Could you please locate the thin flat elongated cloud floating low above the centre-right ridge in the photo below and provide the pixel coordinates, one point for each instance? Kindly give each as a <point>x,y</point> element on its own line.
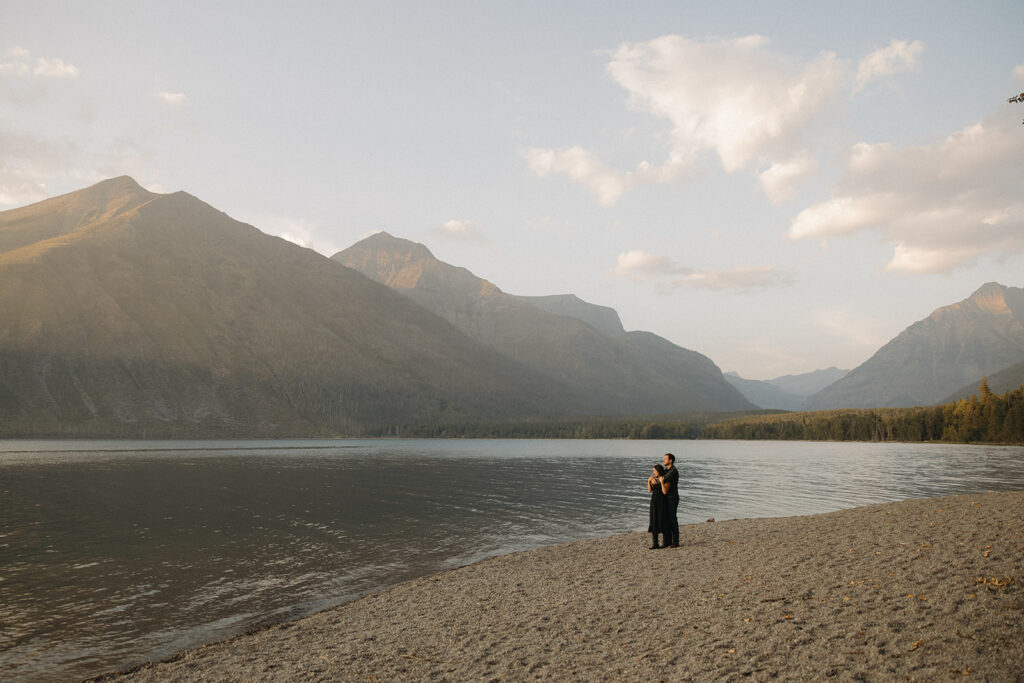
<point>644,267</point>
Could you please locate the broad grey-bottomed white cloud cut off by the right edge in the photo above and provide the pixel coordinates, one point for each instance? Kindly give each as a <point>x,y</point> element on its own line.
<point>943,205</point>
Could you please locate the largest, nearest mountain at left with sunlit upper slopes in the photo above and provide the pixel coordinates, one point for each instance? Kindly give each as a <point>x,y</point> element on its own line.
<point>127,313</point>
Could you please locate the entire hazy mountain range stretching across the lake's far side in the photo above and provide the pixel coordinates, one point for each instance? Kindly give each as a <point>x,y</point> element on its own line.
<point>125,313</point>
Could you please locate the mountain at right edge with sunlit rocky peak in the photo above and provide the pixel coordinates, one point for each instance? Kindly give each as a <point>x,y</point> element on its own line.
<point>954,348</point>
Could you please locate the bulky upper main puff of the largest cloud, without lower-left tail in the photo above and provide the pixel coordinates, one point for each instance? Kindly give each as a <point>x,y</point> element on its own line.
<point>736,98</point>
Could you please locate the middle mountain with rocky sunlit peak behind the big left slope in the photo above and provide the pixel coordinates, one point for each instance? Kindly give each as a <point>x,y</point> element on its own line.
<point>582,346</point>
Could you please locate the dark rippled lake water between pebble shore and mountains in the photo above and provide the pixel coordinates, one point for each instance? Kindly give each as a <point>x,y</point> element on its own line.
<point>113,553</point>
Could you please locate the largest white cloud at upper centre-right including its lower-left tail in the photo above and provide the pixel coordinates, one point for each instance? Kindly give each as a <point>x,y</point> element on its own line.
<point>736,98</point>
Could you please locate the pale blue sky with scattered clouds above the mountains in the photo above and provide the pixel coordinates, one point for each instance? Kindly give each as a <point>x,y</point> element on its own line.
<point>782,187</point>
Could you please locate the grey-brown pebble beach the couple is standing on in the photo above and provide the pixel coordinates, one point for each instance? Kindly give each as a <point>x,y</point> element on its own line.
<point>919,590</point>
